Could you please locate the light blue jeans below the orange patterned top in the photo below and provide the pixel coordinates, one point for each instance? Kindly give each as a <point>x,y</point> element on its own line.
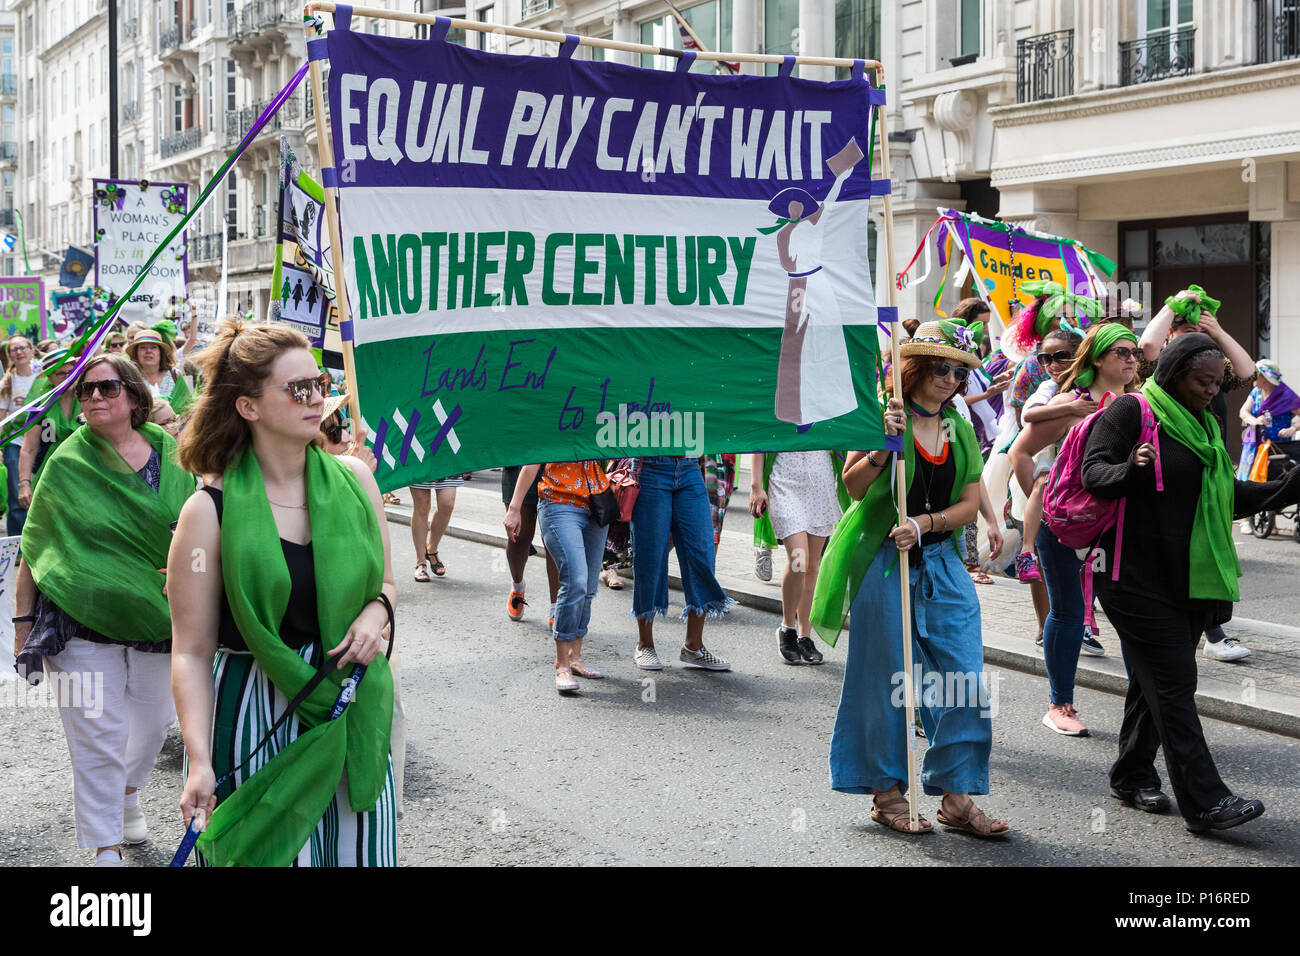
<point>577,543</point>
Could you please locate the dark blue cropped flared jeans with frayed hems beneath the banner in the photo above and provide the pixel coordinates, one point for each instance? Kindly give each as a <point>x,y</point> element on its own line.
<point>673,501</point>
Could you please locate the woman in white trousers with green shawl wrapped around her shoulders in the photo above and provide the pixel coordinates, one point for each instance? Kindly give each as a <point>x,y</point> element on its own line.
<point>90,599</point>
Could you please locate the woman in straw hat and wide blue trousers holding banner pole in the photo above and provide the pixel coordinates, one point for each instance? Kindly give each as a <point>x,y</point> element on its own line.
<point>869,749</point>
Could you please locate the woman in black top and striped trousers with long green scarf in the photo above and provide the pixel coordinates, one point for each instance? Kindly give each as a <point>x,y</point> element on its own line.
<point>280,569</point>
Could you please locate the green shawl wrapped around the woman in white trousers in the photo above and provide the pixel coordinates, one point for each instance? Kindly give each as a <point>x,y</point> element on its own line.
<point>97,535</point>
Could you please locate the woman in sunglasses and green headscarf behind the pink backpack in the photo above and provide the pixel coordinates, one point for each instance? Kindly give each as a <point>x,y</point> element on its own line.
<point>1104,365</point>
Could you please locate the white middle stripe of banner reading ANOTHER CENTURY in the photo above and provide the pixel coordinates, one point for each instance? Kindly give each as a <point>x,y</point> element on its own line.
<point>422,222</point>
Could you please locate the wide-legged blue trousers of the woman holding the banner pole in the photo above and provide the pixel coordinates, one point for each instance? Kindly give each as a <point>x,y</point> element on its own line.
<point>869,747</point>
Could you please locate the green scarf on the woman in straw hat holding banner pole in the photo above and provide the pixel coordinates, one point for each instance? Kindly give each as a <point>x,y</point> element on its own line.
<point>868,524</point>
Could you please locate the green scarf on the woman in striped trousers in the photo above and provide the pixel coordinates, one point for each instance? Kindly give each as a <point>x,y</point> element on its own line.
<point>267,821</point>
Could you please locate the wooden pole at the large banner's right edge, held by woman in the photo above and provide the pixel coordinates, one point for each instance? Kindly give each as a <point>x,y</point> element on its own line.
<point>902,485</point>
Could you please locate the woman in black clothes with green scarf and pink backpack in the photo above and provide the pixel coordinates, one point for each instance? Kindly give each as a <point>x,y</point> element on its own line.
<point>1178,576</point>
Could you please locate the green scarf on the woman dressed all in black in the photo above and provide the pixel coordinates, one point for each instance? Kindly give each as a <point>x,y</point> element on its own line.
<point>1215,566</point>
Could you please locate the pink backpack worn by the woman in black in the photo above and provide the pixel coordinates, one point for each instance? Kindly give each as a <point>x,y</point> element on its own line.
<point>1074,514</point>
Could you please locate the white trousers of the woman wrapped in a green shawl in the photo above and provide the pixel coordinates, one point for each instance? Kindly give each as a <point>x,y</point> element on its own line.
<point>116,706</point>
